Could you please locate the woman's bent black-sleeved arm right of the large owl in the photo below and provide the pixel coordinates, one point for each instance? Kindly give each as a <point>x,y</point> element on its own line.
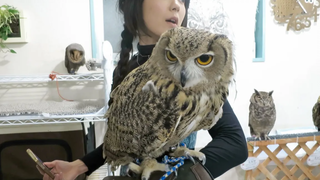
<point>228,147</point>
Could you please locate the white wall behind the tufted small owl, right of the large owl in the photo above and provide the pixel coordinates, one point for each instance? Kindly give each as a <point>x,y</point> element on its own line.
<point>291,69</point>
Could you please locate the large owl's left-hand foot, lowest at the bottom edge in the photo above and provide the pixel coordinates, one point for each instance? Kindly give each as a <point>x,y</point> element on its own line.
<point>147,166</point>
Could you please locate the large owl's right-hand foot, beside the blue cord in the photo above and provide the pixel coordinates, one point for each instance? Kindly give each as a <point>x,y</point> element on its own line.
<point>184,151</point>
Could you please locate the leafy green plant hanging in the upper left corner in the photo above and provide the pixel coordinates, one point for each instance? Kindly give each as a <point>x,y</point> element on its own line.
<point>8,14</point>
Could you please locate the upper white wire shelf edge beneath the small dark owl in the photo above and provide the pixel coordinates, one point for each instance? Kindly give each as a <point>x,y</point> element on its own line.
<point>45,78</point>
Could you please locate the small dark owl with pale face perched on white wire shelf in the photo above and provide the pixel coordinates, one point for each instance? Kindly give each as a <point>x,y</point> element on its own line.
<point>74,58</point>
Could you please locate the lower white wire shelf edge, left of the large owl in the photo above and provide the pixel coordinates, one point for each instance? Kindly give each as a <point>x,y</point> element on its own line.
<point>29,120</point>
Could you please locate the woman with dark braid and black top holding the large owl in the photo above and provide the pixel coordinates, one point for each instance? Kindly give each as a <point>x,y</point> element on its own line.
<point>147,20</point>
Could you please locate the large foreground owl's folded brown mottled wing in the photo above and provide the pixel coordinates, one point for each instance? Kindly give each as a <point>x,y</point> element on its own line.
<point>143,114</point>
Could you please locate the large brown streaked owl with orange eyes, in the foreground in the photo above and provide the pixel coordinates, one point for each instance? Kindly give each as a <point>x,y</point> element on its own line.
<point>179,90</point>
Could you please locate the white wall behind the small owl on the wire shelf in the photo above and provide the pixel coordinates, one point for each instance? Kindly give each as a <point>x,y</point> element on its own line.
<point>51,25</point>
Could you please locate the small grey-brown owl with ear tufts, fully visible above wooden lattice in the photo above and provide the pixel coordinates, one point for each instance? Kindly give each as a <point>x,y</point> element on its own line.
<point>262,114</point>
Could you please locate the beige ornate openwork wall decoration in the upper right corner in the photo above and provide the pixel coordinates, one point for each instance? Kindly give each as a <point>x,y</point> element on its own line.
<point>298,14</point>
